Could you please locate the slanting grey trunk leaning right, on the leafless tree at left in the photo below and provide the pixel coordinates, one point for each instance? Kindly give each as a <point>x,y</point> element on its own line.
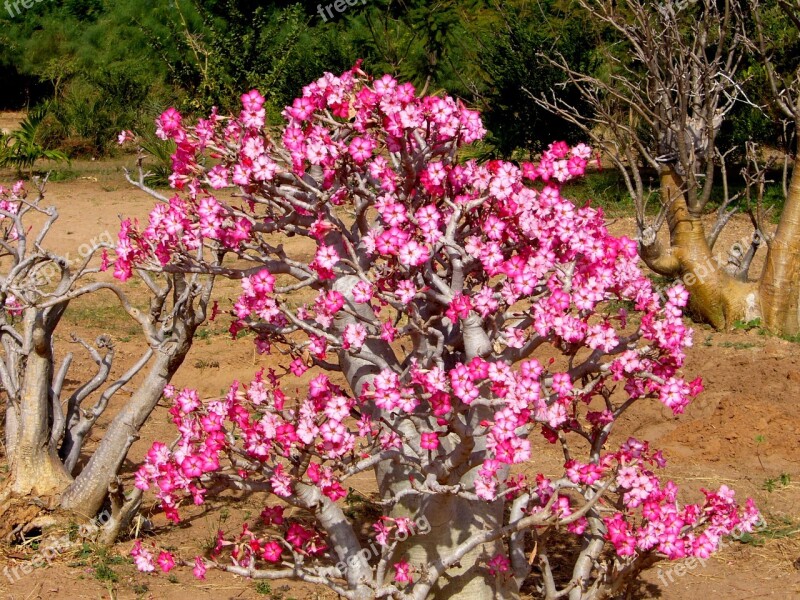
<point>89,490</point>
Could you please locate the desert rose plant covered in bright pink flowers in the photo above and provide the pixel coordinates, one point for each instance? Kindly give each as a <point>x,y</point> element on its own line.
<point>456,318</point>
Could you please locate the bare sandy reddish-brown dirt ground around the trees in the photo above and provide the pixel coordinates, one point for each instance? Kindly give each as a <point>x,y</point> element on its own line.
<point>743,431</point>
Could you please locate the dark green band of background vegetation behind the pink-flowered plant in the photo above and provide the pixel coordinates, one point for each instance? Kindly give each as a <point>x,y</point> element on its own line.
<point>100,66</point>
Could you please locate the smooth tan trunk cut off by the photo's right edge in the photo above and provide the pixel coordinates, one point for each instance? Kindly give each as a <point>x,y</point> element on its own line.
<point>780,280</point>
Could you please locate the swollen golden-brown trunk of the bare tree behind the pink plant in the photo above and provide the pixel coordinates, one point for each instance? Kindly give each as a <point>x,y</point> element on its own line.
<point>714,296</point>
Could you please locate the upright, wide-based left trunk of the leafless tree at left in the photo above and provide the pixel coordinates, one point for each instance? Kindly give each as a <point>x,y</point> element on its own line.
<point>36,469</point>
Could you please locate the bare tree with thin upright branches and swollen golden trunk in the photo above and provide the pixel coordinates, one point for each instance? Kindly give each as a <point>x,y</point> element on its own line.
<point>672,78</point>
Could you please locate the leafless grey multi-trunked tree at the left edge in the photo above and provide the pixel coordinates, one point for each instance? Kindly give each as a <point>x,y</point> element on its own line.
<point>46,427</point>
